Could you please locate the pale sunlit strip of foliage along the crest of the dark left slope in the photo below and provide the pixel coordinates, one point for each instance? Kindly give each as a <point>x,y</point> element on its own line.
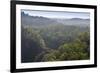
<point>35,36</point>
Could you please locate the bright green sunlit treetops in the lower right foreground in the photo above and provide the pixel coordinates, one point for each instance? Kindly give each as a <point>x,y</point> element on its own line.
<point>71,51</point>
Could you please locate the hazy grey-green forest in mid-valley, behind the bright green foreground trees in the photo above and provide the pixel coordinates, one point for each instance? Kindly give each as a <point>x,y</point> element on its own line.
<point>57,35</point>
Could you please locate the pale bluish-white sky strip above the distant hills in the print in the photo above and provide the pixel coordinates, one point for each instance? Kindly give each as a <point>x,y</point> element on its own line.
<point>57,14</point>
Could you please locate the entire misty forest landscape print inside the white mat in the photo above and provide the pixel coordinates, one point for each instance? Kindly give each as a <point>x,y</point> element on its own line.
<point>46,37</point>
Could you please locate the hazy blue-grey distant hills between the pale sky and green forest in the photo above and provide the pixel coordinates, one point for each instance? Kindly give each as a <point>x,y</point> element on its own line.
<point>39,21</point>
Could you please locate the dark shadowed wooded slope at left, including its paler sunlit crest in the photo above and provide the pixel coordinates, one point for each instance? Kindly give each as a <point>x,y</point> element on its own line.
<point>32,44</point>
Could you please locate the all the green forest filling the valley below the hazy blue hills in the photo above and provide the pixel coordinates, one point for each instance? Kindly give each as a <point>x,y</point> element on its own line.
<point>54,42</point>
